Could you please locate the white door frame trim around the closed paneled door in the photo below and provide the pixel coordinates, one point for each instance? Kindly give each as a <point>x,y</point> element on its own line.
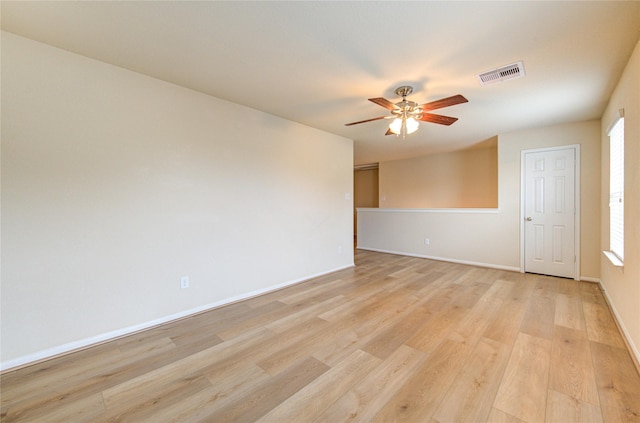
<point>576,220</point>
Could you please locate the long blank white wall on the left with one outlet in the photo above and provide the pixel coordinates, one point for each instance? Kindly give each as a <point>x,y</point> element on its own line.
<point>114,185</point>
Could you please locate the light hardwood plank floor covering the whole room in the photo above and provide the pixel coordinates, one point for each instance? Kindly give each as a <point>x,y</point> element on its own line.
<point>393,339</point>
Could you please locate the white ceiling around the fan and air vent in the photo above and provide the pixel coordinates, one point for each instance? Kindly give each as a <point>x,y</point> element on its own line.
<point>317,62</point>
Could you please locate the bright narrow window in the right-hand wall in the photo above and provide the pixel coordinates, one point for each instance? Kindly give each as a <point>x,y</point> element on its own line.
<point>616,190</point>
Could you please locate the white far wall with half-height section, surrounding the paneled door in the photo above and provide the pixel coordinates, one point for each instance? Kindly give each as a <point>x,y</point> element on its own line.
<point>491,237</point>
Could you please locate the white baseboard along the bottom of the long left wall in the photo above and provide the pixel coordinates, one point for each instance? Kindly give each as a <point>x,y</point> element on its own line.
<point>50,353</point>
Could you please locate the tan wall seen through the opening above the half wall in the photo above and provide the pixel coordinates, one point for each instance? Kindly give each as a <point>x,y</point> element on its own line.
<point>460,179</point>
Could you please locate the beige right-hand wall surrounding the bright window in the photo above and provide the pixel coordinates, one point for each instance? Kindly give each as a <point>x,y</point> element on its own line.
<point>622,285</point>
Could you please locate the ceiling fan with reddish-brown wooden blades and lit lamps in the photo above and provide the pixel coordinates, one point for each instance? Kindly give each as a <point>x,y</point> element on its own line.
<point>406,114</point>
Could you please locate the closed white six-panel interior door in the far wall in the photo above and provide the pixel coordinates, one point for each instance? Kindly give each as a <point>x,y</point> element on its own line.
<point>549,206</point>
